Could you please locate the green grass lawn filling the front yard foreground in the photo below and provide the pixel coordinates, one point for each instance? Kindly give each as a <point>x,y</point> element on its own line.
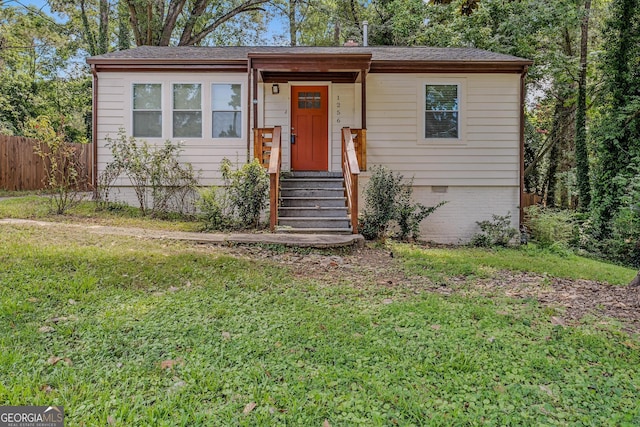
<point>133,332</point>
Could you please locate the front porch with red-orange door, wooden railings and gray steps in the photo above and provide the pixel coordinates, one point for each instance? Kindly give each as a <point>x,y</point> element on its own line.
<point>309,121</point>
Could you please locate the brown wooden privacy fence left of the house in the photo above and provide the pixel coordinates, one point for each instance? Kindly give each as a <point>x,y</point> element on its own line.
<point>22,169</point>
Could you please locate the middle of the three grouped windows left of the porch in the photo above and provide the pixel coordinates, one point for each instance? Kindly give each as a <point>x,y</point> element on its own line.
<point>187,110</point>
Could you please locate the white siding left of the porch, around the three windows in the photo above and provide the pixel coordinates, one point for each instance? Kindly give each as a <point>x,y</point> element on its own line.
<point>205,154</point>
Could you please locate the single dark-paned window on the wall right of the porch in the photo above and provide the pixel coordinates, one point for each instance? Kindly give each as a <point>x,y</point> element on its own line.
<point>442,111</point>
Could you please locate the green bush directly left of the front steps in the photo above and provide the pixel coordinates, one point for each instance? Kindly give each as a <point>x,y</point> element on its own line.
<point>239,202</point>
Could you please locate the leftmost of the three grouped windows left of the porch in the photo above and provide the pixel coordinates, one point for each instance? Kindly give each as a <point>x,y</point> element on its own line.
<point>147,110</point>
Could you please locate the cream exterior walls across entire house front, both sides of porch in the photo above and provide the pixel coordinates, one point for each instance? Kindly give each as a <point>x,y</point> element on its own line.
<point>480,171</point>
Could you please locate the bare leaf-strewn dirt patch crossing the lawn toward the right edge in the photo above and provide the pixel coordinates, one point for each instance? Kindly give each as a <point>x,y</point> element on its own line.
<point>573,299</point>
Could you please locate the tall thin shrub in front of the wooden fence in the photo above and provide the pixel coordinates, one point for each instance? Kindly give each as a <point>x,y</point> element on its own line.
<point>62,169</point>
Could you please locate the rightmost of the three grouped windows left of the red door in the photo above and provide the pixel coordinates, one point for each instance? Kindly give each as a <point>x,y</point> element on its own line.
<point>226,110</point>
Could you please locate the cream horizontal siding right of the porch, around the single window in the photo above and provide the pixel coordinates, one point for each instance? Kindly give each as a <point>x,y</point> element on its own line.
<point>487,153</point>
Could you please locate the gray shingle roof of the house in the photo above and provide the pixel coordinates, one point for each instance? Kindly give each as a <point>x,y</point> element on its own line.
<point>378,53</point>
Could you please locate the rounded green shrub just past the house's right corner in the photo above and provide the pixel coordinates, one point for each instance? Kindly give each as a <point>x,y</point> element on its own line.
<point>550,227</point>
